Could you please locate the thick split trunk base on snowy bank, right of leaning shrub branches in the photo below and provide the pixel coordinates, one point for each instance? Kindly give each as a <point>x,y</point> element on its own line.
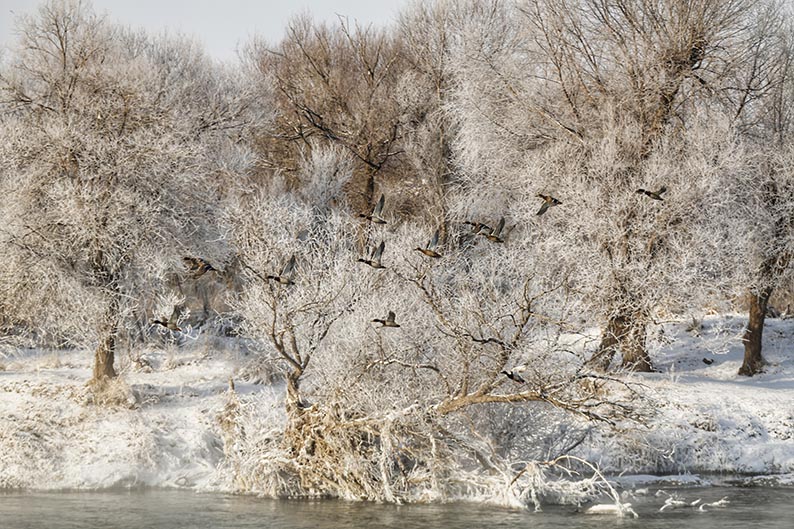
<point>627,333</point>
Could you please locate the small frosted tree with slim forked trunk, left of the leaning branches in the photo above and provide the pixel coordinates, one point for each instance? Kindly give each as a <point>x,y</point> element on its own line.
<point>295,249</point>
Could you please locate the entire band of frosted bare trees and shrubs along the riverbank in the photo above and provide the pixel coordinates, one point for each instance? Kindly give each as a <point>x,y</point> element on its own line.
<point>573,164</point>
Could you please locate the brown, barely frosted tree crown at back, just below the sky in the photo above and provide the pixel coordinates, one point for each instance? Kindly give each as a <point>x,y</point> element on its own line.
<point>334,85</point>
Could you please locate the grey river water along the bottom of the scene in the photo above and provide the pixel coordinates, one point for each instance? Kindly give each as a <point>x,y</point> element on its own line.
<point>769,508</point>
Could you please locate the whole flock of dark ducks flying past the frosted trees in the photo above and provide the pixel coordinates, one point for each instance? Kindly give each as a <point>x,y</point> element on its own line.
<point>198,266</point>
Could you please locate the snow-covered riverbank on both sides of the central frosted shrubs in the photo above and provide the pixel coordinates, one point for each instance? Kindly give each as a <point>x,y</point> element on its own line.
<point>163,429</point>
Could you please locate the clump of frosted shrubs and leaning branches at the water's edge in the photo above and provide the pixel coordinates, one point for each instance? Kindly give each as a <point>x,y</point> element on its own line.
<point>402,403</point>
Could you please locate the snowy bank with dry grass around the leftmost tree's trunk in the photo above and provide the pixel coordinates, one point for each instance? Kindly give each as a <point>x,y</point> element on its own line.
<point>160,430</point>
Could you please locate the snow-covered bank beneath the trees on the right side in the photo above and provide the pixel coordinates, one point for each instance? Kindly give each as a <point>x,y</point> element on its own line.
<point>708,419</point>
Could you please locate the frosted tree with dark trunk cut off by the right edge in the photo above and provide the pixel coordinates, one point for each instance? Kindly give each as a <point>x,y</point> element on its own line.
<point>756,201</point>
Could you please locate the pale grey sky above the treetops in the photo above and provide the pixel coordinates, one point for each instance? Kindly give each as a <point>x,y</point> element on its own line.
<point>221,24</point>
